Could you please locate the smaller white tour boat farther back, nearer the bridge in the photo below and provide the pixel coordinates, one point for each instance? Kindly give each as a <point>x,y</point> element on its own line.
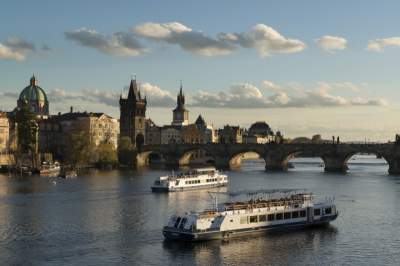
<point>192,179</point>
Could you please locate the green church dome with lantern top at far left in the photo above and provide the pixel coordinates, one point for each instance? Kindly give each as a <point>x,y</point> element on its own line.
<point>35,97</point>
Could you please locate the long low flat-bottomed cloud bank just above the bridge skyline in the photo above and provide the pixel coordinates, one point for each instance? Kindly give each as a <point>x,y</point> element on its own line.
<point>249,96</point>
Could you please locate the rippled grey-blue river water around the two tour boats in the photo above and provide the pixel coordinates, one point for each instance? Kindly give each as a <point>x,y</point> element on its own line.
<point>108,218</point>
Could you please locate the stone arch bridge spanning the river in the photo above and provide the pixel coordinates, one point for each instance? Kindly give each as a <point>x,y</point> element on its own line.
<point>276,156</point>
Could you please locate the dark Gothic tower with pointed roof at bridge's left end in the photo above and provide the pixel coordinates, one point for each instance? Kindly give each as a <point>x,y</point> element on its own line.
<point>132,115</point>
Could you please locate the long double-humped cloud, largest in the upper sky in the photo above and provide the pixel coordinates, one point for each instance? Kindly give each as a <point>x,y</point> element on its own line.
<point>261,37</point>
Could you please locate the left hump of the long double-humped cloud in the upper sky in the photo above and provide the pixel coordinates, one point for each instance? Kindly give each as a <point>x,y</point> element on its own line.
<point>189,40</point>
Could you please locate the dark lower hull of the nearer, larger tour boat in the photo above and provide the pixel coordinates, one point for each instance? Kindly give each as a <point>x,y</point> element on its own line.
<point>178,235</point>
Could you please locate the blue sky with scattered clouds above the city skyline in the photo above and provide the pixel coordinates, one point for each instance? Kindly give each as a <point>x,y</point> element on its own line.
<point>304,67</point>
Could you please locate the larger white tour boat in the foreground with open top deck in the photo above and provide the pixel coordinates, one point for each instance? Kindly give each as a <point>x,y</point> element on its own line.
<point>255,216</point>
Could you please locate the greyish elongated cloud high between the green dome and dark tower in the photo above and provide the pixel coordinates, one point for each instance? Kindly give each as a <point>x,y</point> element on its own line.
<point>119,43</point>
